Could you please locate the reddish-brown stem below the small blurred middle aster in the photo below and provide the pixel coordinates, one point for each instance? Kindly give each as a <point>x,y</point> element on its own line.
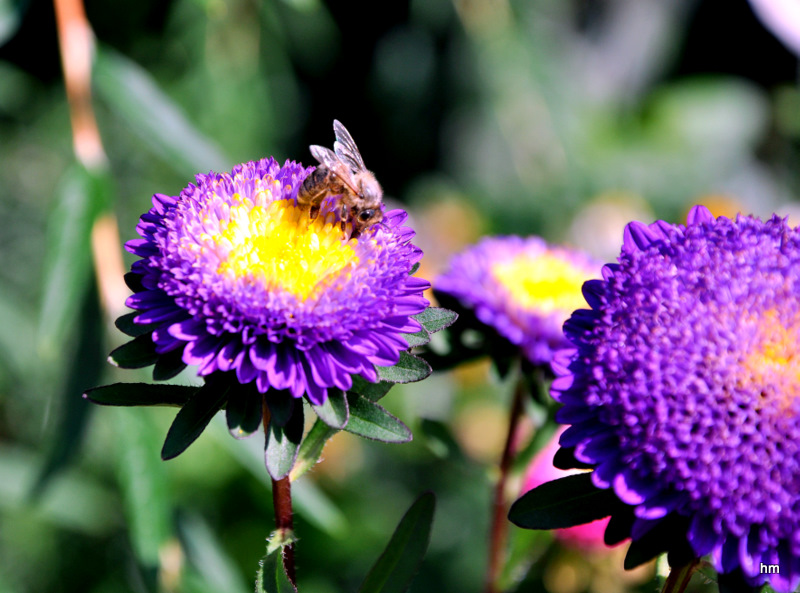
<point>499,525</point>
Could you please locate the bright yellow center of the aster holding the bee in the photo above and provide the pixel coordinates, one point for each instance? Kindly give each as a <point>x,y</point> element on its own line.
<point>278,244</point>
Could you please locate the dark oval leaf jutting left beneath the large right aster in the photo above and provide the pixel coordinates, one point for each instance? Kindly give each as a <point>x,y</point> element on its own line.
<point>565,502</point>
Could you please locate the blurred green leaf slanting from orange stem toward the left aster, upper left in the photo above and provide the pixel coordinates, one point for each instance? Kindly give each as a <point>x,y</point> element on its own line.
<point>133,95</point>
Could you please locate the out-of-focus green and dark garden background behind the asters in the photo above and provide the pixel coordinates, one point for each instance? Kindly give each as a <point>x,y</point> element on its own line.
<point>564,118</point>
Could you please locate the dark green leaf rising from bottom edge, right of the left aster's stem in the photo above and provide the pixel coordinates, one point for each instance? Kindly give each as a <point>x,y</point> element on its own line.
<point>400,561</point>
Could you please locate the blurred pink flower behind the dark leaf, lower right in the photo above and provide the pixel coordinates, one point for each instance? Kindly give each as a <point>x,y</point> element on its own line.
<point>541,470</point>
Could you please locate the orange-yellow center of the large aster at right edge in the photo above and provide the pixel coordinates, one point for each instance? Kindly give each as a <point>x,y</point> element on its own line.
<point>774,364</point>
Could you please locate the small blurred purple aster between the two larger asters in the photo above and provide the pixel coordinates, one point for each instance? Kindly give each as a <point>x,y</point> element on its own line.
<point>520,287</point>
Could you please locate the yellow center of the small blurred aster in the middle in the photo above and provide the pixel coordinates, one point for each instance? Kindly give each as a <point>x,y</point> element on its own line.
<point>543,283</point>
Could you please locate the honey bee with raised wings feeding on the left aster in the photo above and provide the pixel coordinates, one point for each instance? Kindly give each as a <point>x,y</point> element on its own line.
<point>342,173</point>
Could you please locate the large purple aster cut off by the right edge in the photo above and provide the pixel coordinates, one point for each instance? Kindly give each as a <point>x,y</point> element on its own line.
<point>682,388</point>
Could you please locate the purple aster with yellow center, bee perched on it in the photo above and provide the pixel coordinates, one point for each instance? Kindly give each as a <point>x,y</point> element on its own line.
<point>234,277</point>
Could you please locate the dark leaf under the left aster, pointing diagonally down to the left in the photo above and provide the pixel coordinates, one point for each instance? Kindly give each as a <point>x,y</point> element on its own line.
<point>194,416</point>
